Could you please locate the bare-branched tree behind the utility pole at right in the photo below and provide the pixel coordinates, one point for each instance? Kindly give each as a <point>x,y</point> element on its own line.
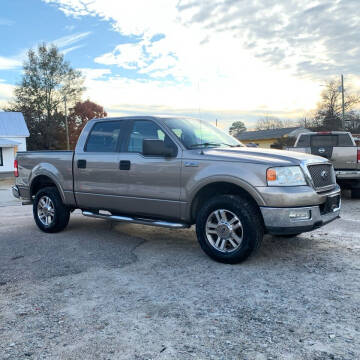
<point>328,114</point>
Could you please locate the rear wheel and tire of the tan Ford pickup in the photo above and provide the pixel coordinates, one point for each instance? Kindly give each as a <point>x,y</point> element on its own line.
<point>50,214</point>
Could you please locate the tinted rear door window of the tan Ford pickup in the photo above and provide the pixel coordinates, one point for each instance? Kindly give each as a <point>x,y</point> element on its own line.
<point>104,137</point>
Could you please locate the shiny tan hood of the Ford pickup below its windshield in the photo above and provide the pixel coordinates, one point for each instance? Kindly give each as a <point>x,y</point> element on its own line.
<point>261,156</point>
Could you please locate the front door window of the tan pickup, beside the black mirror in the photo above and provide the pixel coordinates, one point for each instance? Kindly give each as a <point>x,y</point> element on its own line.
<point>144,129</point>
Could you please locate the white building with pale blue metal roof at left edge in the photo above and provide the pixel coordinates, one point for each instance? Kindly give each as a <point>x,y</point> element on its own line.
<point>13,134</point>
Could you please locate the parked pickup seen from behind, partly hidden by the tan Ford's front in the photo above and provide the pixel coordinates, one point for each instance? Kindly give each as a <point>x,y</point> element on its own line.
<point>340,148</point>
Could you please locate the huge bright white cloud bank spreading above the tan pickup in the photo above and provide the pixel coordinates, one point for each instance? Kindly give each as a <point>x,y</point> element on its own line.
<point>223,54</point>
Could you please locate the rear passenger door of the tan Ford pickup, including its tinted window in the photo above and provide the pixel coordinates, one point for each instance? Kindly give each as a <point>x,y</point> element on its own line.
<point>98,181</point>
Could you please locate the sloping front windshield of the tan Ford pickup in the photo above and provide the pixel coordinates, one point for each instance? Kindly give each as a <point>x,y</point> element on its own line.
<point>195,133</point>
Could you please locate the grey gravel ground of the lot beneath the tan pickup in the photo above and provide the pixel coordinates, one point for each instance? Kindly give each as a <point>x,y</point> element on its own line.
<point>101,290</point>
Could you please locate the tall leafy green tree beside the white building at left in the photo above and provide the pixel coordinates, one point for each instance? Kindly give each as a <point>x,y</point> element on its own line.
<point>47,79</point>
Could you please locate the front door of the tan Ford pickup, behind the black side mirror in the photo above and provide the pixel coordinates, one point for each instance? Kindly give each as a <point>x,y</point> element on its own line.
<point>153,181</point>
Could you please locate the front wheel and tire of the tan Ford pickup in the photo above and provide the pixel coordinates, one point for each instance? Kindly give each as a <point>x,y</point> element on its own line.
<point>246,233</point>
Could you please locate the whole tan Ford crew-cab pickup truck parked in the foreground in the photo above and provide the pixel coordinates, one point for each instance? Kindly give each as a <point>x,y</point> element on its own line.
<point>176,172</point>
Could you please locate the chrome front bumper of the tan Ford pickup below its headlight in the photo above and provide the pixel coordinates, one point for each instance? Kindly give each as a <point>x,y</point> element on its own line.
<point>278,222</point>
